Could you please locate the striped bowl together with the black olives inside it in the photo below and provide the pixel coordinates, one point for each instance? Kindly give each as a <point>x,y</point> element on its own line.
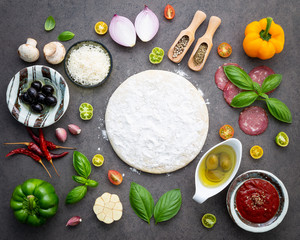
<point>37,96</point>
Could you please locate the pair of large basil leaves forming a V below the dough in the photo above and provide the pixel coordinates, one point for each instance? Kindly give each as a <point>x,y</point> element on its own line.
<point>142,203</point>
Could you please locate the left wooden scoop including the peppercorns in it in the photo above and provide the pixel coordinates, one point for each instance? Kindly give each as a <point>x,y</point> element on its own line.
<point>185,38</point>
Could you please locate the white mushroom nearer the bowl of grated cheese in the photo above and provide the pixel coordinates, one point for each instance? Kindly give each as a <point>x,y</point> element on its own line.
<point>54,52</point>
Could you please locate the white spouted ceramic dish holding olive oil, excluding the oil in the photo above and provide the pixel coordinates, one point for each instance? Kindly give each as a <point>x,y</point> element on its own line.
<point>202,192</point>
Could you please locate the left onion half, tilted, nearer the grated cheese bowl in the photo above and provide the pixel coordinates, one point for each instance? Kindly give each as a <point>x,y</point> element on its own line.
<point>122,31</point>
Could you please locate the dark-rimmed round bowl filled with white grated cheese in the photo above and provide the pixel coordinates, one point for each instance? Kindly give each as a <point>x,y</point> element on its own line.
<point>88,63</point>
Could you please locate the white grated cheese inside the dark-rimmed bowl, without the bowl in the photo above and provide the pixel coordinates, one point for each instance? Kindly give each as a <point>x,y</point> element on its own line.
<point>88,65</point>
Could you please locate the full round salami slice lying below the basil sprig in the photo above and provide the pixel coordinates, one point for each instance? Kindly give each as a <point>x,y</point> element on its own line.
<point>253,120</point>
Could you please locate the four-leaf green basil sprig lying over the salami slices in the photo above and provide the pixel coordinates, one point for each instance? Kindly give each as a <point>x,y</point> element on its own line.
<point>256,92</point>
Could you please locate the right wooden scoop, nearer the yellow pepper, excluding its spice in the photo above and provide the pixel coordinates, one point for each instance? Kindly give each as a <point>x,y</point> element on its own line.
<point>214,23</point>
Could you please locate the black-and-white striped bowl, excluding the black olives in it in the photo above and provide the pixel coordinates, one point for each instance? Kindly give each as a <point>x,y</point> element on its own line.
<point>21,82</point>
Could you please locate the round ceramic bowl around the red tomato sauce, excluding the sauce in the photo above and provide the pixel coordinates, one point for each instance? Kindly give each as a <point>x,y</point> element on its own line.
<point>257,227</point>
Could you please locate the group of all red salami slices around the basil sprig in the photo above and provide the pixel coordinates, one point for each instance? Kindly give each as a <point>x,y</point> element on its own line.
<point>253,120</point>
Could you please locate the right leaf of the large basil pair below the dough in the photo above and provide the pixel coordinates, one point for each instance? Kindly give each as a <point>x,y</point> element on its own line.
<point>167,206</point>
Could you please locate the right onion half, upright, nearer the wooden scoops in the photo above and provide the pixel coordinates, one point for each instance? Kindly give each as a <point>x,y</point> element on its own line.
<point>146,24</point>
